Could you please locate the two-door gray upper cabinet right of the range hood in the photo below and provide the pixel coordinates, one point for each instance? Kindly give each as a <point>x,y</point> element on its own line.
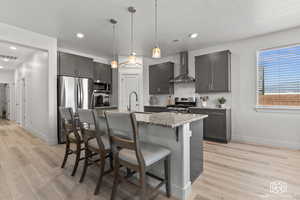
<point>213,72</point>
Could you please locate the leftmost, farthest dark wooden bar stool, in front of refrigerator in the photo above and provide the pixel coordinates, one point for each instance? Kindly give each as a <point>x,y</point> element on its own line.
<point>73,136</point>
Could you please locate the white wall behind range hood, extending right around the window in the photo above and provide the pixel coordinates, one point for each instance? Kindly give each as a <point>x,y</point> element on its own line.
<point>268,128</point>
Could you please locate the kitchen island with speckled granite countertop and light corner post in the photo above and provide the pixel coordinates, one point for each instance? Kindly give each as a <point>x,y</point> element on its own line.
<point>182,134</point>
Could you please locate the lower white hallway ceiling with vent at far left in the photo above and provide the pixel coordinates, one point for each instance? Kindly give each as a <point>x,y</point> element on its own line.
<point>20,52</point>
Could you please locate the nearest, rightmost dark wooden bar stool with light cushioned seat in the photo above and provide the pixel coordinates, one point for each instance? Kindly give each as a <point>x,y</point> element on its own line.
<point>140,157</point>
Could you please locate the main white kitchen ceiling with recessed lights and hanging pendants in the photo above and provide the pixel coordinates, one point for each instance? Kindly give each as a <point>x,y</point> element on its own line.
<point>216,22</point>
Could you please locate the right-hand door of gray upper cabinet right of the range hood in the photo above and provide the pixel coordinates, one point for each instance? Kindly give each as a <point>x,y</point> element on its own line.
<point>220,72</point>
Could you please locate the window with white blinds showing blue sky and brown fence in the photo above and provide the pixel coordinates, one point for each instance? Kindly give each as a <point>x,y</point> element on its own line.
<point>278,72</point>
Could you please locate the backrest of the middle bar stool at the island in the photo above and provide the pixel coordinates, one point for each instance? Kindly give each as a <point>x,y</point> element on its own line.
<point>90,125</point>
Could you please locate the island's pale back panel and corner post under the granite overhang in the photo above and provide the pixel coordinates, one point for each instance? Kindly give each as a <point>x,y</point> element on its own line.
<point>180,158</point>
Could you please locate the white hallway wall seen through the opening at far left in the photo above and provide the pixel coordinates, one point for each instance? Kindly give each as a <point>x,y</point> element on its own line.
<point>34,70</point>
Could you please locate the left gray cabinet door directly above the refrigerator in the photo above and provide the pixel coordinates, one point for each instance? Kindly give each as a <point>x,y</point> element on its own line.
<point>67,64</point>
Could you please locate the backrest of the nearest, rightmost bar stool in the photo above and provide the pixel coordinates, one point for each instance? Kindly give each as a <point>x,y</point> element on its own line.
<point>123,133</point>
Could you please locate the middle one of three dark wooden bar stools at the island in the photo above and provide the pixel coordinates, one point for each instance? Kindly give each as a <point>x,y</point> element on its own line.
<point>96,142</point>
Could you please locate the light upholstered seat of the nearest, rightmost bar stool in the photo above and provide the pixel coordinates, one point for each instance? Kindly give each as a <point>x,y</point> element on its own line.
<point>152,153</point>
